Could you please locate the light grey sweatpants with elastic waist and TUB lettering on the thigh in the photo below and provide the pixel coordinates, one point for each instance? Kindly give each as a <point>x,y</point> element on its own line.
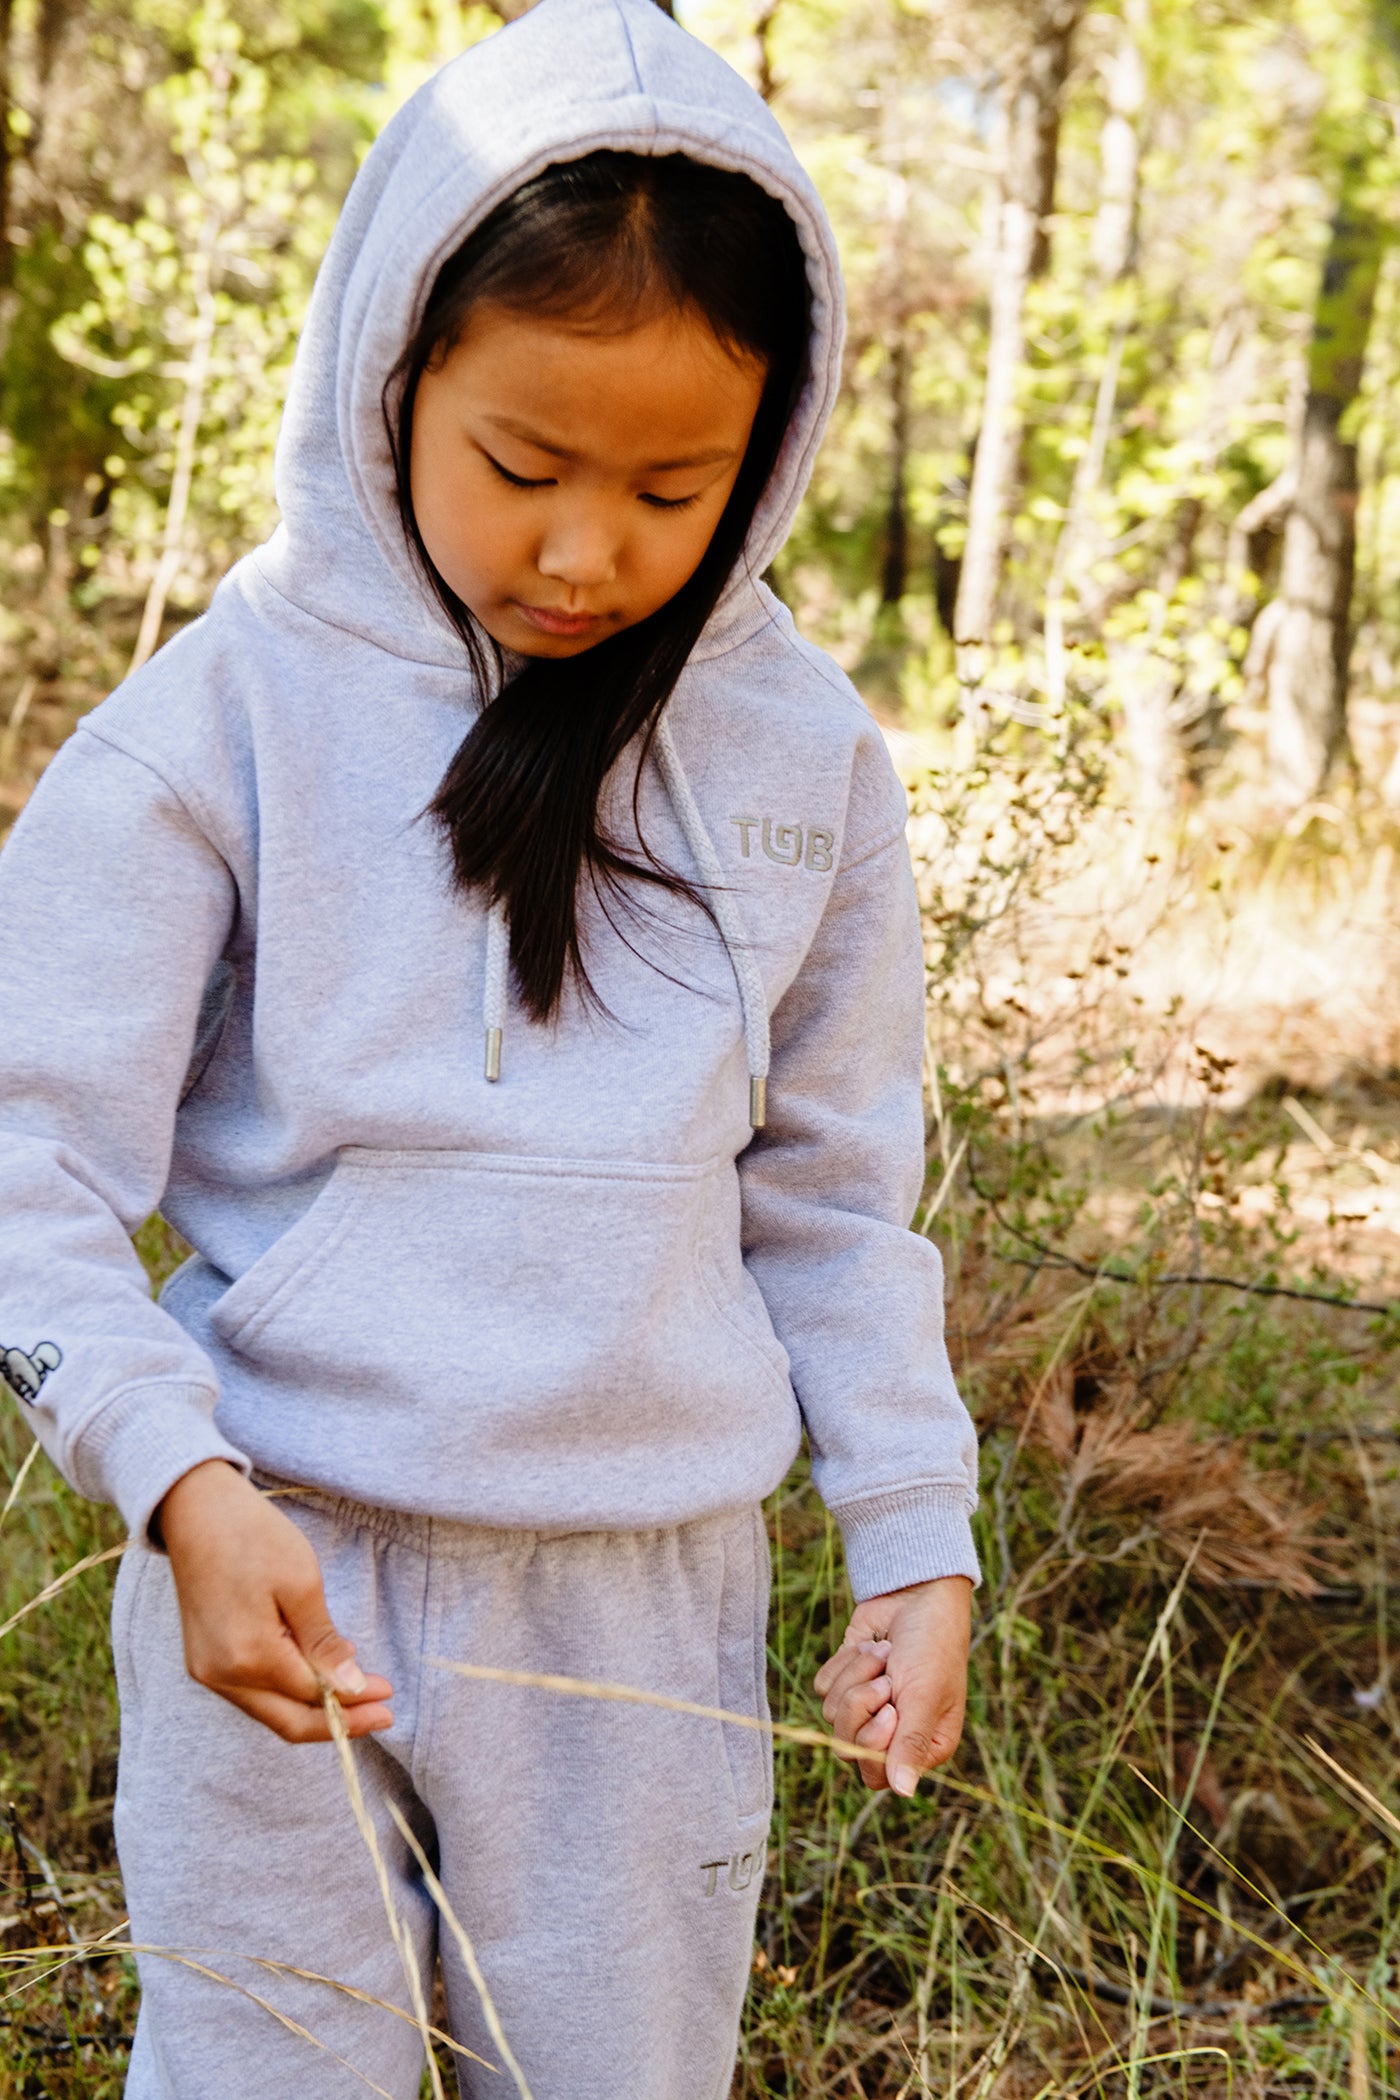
<point>606,1860</point>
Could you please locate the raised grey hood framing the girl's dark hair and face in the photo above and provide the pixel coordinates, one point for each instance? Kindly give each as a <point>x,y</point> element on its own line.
<point>566,81</point>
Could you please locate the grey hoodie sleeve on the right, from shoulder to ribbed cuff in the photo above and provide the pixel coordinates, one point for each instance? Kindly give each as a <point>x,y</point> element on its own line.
<point>828,1194</point>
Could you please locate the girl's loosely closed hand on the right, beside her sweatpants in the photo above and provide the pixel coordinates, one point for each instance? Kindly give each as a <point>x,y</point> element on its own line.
<point>899,1681</point>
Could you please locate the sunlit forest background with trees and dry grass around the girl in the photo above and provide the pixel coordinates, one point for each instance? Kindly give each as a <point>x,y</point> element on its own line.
<point>1107,532</point>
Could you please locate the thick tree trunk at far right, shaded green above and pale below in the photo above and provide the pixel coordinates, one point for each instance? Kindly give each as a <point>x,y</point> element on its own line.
<point>1313,637</point>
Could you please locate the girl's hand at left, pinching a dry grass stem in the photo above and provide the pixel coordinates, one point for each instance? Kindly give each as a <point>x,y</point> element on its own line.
<point>255,1618</point>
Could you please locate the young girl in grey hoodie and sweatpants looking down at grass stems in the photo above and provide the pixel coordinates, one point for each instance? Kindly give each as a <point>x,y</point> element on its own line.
<point>488,933</point>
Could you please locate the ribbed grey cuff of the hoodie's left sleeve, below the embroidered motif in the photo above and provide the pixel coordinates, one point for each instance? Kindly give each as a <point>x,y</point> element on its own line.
<point>144,1442</point>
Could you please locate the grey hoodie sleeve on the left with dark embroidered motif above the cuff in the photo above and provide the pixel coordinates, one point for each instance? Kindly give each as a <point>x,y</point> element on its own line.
<point>114,908</point>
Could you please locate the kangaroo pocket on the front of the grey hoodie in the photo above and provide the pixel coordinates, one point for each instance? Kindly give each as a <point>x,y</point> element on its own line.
<point>524,1295</point>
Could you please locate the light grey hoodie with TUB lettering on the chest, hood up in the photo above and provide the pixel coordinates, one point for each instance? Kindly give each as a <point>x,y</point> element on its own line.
<point>238,986</point>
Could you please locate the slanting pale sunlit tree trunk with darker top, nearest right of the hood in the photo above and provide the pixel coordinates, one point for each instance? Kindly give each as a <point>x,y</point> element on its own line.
<point>1023,255</point>
